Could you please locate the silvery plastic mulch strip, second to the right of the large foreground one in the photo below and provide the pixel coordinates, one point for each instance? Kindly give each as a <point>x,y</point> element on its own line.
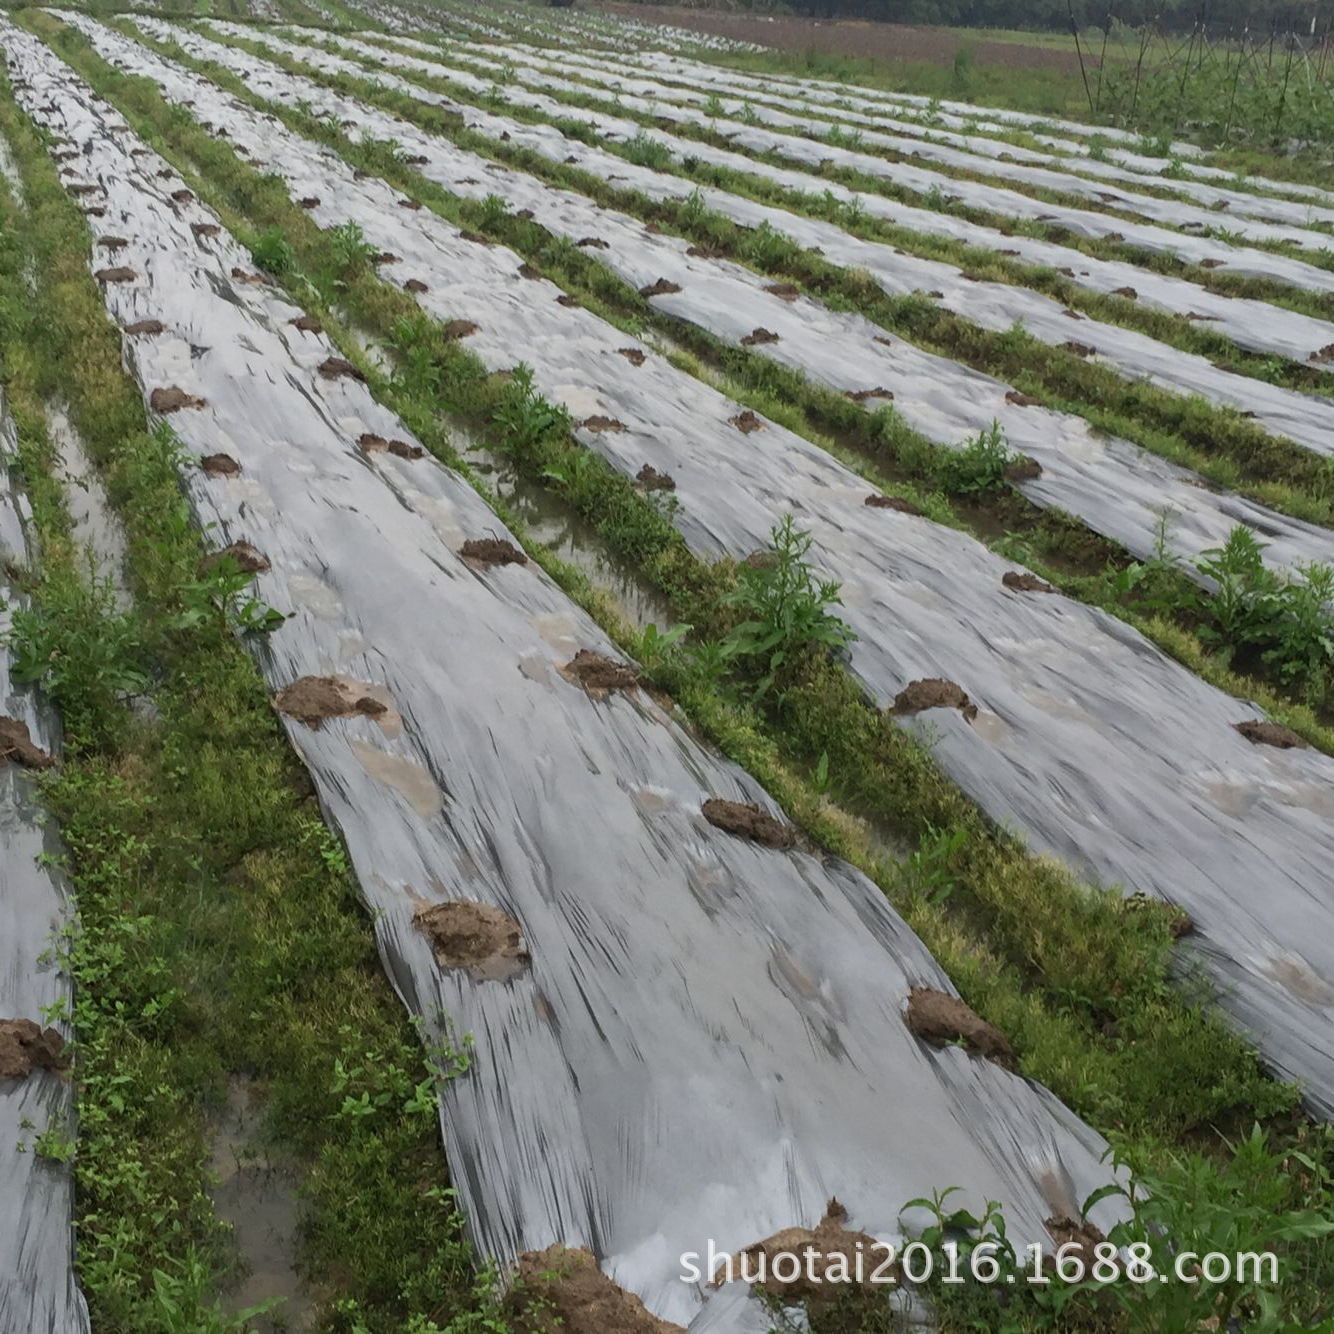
<point>1117,489</point>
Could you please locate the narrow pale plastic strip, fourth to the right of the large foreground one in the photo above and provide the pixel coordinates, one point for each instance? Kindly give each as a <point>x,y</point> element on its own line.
<point>1256,326</point>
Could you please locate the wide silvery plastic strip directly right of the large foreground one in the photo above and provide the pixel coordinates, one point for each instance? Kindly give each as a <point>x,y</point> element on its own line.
<point>1089,741</point>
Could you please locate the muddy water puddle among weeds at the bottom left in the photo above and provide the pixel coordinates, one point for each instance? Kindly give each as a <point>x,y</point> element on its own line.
<point>257,1196</point>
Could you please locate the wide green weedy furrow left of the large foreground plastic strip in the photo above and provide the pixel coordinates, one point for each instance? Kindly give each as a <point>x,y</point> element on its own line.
<point>219,932</point>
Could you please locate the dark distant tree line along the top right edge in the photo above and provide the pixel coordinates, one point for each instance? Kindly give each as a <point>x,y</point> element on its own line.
<point>1176,15</point>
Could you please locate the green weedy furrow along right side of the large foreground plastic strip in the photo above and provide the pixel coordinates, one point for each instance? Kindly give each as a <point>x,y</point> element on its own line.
<point>1087,1000</point>
